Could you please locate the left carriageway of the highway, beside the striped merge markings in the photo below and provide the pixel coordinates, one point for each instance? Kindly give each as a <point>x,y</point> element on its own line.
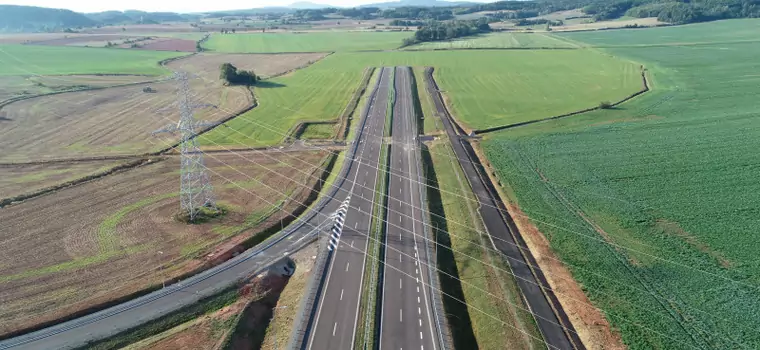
<point>334,324</point>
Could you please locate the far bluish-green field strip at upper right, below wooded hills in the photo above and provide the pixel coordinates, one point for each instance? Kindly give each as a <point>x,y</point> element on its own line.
<point>735,30</point>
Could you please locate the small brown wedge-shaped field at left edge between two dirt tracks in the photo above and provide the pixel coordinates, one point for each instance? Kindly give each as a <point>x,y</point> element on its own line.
<point>20,179</point>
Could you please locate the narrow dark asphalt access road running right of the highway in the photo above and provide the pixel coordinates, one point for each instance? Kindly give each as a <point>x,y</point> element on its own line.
<point>556,328</point>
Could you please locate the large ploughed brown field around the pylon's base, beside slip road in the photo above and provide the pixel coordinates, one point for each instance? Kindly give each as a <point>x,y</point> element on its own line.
<point>110,237</point>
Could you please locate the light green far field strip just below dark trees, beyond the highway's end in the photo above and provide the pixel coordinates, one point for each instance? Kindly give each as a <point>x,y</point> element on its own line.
<point>498,40</point>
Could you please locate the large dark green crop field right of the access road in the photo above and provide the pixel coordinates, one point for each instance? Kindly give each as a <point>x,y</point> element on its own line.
<point>653,205</point>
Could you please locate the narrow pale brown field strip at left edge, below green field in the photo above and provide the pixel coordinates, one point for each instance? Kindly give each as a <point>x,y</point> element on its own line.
<point>17,86</point>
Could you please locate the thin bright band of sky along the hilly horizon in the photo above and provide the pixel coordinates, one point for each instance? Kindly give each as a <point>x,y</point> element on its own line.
<point>88,6</point>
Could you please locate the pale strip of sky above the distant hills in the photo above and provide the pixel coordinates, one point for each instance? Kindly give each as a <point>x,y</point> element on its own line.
<point>172,5</point>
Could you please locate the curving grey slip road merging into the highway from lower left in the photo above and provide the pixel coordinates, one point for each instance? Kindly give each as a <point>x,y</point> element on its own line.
<point>105,323</point>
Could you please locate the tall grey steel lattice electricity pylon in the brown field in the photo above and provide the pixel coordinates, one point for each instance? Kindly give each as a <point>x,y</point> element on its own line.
<point>196,191</point>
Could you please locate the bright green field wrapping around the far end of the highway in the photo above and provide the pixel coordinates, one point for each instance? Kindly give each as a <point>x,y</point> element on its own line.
<point>486,88</point>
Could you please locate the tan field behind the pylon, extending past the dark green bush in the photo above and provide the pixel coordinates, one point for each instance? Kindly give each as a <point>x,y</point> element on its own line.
<point>120,120</point>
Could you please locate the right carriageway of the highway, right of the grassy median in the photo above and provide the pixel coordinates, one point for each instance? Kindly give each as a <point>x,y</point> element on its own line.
<point>406,321</point>
